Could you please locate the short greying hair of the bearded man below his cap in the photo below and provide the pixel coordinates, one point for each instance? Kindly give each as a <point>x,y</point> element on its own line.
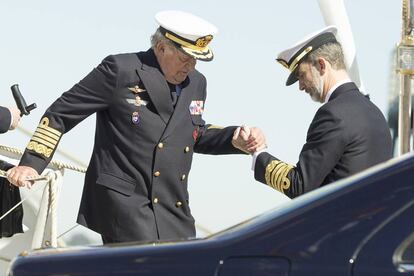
<point>332,52</point>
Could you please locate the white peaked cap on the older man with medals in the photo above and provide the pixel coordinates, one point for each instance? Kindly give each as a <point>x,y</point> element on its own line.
<point>191,34</point>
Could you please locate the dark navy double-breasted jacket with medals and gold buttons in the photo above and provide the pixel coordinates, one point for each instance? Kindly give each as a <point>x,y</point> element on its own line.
<point>136,182</point>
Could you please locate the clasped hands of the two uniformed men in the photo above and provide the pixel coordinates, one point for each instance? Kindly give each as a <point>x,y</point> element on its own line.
<point>249,139</point>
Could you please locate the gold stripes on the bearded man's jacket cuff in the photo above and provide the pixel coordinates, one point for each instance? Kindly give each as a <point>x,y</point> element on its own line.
<point>276,175</point>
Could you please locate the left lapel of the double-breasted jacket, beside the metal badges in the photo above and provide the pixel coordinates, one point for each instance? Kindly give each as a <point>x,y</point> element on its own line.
<point>156,86</point>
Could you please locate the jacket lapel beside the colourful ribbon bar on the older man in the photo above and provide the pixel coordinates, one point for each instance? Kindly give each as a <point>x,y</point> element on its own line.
<point>182,106</point>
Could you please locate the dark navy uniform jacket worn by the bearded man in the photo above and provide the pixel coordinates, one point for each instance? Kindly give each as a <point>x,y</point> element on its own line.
<point>348,134</point>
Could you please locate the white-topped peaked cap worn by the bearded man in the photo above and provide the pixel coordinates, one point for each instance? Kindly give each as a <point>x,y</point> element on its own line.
<point>292,57</point>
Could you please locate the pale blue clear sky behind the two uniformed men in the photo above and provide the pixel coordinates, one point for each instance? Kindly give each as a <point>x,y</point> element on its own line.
<point>48,46</point>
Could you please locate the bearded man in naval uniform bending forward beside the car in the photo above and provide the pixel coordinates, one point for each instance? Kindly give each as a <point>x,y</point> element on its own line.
<point>348,133</point>
